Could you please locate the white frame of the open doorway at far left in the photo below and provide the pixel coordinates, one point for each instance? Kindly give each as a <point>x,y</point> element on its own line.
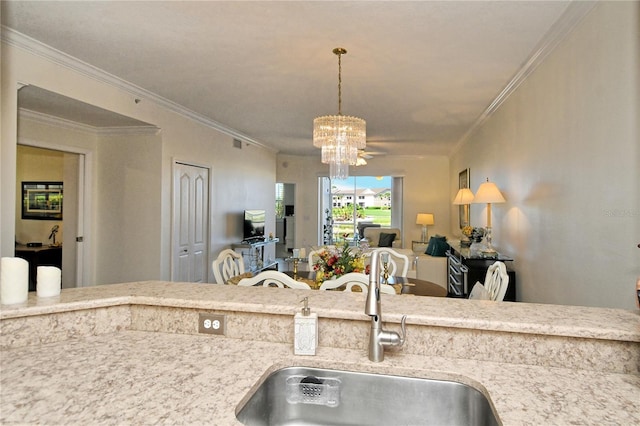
<point>84,266</point>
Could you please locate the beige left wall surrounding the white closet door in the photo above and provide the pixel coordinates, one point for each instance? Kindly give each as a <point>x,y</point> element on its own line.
<point>135,243</point>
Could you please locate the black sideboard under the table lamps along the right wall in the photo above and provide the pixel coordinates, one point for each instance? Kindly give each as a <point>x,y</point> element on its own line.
<point>465,268</point>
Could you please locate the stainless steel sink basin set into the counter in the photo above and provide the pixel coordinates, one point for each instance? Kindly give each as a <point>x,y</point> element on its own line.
<point>311,396</point>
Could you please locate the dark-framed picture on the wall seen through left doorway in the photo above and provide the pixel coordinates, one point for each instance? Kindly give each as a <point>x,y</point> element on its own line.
<point>42,200</point>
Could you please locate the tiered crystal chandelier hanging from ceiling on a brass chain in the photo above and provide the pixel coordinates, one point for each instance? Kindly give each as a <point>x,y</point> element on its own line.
<point>339,136</point>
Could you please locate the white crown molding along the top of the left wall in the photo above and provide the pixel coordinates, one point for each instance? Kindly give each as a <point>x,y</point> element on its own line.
<point>38,48</point>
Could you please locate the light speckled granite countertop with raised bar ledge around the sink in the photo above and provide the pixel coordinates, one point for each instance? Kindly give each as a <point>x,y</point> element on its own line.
<point>128,376</point>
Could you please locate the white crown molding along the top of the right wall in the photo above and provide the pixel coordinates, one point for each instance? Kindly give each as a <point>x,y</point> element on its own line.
<point>574,13</point>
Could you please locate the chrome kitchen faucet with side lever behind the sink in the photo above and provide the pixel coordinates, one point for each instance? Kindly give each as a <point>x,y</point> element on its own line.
<point>379,338</point>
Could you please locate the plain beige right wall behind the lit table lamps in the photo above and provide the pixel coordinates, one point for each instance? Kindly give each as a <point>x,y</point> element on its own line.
<point>564,150</point>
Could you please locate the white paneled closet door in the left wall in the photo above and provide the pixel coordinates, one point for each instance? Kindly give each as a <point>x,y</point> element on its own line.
<point>190,223</point>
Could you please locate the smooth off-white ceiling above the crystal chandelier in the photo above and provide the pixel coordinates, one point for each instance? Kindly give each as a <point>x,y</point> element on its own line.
<point>421,73</point>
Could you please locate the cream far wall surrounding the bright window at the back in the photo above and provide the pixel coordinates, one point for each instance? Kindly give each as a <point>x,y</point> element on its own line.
<point>426,190</point>
